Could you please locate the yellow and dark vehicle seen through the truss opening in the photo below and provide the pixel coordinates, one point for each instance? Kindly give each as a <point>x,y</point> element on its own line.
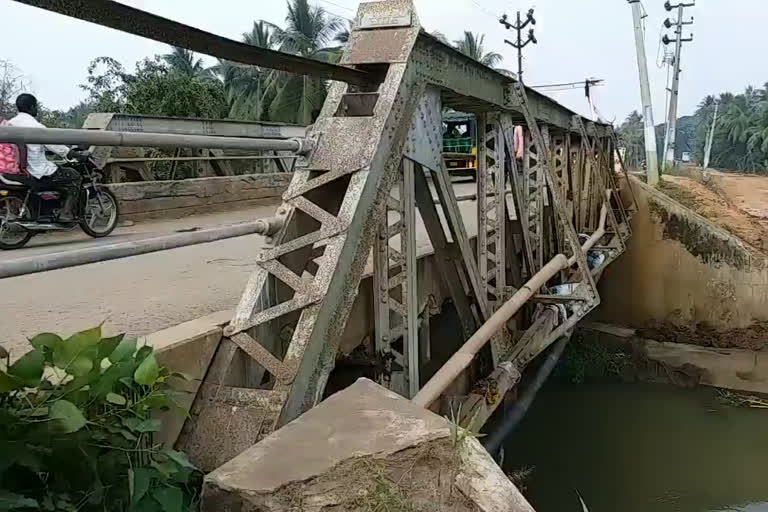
<point>460,144</point>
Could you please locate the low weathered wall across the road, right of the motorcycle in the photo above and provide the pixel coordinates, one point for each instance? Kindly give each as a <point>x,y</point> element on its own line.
<point>169,199</point>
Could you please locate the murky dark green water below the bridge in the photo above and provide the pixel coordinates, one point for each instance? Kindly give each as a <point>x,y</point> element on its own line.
<point>641,448</point>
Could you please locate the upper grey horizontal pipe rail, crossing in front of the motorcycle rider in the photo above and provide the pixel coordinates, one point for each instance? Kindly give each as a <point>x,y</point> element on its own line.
<point>19,135</point>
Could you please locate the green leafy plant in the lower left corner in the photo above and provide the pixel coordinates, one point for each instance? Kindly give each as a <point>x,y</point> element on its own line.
<point>77,417</point>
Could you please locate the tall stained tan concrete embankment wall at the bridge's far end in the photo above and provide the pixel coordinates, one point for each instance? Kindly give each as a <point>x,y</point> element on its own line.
<point>686,279</point>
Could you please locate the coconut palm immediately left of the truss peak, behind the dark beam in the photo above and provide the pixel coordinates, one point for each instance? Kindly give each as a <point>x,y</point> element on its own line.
<point>309,30</point>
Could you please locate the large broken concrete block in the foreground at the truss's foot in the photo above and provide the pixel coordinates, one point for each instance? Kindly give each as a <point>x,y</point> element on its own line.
<point>364,448</point>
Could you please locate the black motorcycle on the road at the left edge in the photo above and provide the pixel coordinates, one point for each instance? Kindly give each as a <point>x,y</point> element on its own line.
<point>29,207</point>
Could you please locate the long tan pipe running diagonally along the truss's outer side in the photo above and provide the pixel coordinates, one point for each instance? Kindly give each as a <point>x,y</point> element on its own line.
<point>461,360</point>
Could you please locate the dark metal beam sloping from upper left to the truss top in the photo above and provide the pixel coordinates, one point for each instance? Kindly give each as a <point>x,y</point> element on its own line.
<point>141,23</point>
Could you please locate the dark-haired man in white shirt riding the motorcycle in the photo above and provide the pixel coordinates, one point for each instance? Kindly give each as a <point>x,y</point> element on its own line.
<point>58,178</point>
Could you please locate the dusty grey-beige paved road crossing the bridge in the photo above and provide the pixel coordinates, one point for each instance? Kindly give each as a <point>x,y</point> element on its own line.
<point>141,294</point>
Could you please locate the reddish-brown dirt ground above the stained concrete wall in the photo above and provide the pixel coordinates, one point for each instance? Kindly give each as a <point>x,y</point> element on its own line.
<point>735,202</point>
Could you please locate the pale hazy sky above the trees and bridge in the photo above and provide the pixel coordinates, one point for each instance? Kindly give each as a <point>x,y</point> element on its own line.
<point>576,40</point>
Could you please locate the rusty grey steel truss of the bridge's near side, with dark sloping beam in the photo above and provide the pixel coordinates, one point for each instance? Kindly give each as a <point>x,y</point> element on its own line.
<point>524,284</point>
